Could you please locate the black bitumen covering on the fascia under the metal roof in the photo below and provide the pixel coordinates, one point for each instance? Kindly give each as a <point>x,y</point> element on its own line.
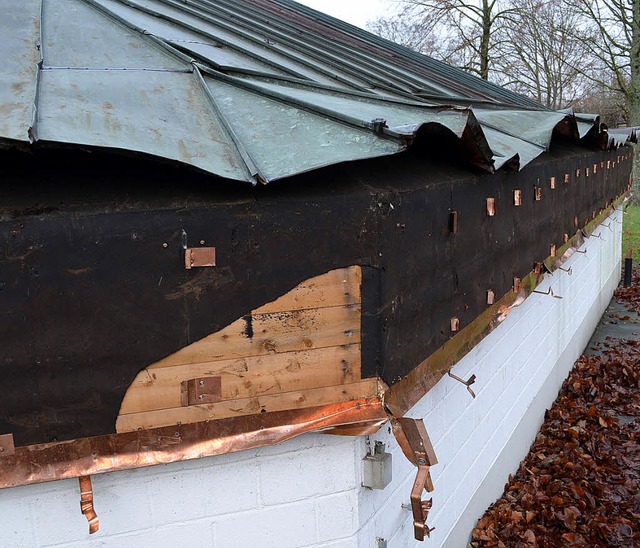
<point>89,294</point>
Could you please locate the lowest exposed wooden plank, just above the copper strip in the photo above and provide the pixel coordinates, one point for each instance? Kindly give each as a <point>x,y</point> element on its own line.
<point>298,399</point>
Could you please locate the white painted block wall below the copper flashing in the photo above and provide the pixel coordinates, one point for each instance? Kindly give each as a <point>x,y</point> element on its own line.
<point>307,492</point>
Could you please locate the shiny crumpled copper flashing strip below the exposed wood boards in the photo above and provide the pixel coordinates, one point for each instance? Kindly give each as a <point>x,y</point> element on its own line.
<point>102,454</point>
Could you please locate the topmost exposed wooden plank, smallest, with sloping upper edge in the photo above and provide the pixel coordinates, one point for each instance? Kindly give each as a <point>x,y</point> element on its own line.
<point>335,288</point>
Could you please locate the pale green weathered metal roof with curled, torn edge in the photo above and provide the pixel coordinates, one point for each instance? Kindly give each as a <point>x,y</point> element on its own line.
<point>253,90</point>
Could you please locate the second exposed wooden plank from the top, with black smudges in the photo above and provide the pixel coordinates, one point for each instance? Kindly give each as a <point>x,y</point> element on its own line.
<point>272,333</point>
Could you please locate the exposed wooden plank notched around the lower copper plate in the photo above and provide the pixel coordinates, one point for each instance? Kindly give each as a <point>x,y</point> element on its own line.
<point>247,377</point>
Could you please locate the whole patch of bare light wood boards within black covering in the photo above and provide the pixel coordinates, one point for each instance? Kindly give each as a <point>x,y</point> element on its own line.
<point>301,350</point>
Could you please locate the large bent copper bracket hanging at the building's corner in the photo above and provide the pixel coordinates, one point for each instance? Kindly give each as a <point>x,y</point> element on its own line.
<point>415,444</point>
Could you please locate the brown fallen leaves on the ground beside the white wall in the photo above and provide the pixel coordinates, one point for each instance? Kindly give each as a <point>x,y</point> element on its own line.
<point>580,483</point>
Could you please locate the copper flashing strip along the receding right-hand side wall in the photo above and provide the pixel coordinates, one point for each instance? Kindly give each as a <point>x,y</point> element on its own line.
<point>403,395</point>
